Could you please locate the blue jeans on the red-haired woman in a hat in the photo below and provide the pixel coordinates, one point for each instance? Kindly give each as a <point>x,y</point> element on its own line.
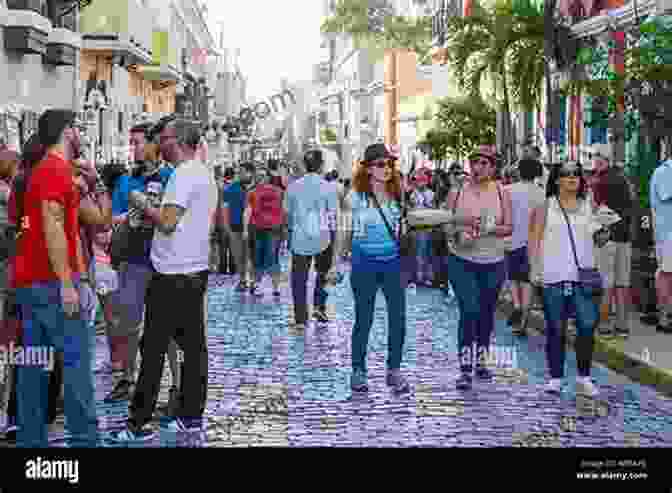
<point>366,278</point>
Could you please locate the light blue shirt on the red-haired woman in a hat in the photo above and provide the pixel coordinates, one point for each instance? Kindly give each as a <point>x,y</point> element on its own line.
<point>371,239</point>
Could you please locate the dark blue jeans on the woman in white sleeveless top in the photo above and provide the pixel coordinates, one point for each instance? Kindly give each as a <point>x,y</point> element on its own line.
<point>557,309</point>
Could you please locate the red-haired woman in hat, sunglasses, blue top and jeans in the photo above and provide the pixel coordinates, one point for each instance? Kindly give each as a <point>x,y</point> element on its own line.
<point>376,263</point>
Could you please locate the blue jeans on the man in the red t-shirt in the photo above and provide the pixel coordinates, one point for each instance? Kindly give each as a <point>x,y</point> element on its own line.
<point>46,326</point>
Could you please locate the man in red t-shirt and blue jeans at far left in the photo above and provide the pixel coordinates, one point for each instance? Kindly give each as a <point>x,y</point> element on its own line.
<point>48,273</point>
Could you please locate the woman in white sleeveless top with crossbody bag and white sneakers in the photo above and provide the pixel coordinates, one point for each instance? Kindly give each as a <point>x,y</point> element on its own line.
<point>554,266</point>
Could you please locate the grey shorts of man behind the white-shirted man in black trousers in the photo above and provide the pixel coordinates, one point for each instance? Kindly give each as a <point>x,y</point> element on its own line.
<point>128,301</point>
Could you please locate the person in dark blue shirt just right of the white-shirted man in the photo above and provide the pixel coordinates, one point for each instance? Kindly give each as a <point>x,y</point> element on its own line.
<point>234,200</point>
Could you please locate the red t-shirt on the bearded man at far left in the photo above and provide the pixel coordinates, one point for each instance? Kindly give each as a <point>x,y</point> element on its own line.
<point>51,180</point>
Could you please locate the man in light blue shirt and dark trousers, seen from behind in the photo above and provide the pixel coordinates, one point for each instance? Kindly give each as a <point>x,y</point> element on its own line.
<point>311,206</point>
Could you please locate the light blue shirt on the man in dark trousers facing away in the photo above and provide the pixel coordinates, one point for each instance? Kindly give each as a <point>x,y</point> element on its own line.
<point>311,203</point>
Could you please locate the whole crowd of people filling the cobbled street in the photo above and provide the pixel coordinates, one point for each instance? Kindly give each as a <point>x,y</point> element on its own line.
<point>77,239</point>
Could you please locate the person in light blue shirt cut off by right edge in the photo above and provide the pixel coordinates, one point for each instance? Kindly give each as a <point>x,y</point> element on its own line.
<point>660,196</point>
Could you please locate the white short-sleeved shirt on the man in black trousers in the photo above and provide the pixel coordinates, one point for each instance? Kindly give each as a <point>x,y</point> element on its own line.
<point>191,187</point>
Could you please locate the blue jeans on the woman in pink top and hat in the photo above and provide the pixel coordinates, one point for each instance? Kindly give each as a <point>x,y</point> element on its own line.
<point>476,288</point>
